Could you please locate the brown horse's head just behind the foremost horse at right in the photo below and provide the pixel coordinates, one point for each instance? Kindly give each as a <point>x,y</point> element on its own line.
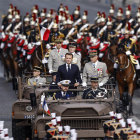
<point>113,51</point>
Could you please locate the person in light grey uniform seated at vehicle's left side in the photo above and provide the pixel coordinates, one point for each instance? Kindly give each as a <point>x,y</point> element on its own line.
<point>36,77</point>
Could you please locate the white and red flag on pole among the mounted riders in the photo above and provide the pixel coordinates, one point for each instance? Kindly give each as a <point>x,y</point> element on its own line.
<point>45,33</point>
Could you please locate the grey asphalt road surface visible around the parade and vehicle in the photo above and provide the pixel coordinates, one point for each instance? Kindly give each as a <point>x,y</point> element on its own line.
<point>7,95</point>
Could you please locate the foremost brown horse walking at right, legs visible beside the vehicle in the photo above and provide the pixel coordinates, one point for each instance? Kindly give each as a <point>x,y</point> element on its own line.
<point>126,77</point>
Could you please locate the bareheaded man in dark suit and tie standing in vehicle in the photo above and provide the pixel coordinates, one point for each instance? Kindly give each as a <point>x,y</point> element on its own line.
<point>69,71</point>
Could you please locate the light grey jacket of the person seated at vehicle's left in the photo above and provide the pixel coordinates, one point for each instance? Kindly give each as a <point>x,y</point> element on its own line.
<point>33,81</point>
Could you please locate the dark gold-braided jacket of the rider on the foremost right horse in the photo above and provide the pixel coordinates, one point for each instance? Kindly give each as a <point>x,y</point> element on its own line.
<point>129,44</point>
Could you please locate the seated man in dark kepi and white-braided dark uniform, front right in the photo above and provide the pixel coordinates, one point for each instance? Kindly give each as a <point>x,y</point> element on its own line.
<point>94,91</point>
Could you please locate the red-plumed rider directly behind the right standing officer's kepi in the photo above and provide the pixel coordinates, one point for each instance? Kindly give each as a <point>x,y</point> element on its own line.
<point>108,35</point>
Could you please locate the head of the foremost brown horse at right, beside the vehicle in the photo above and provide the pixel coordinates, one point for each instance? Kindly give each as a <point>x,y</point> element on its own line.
<point>122,60</point>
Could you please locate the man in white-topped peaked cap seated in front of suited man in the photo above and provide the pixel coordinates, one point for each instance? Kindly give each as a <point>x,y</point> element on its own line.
<point>64,94</point>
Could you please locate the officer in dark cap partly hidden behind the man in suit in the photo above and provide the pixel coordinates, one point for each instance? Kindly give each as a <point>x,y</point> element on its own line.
<point>76,58</point>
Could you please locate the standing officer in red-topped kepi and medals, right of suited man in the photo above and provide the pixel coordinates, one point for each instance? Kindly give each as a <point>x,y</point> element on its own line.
<point>94,67</point>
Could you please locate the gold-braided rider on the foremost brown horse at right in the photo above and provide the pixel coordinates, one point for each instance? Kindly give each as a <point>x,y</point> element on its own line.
<point>129,46</point>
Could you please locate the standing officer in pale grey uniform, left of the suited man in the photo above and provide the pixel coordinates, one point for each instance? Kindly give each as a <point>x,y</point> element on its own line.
<point>57,56</point>
